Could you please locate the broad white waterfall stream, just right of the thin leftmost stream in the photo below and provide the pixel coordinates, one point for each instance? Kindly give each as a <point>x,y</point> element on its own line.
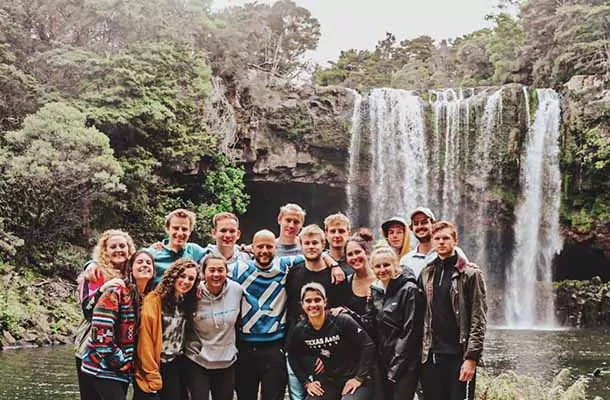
<point>399,167</point>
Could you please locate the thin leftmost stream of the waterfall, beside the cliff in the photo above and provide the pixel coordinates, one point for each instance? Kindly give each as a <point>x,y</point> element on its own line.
<point>354,157</point>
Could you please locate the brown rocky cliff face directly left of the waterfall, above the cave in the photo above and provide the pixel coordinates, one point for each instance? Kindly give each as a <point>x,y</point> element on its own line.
<point>294,134</point>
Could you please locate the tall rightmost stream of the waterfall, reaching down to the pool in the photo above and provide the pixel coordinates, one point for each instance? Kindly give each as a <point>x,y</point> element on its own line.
<point>537,238</point>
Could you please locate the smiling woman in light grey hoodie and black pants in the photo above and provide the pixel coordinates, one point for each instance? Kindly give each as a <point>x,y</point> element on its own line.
<point>211,349</point>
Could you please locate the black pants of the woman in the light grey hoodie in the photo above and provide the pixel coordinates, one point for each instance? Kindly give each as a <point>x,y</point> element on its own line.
<point>201,381</point>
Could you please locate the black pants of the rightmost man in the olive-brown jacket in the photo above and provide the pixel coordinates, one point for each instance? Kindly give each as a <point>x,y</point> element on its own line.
<point>440,379</point>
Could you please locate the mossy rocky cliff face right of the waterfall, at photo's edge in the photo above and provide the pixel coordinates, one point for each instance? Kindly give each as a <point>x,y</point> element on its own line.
<point>586,155</point>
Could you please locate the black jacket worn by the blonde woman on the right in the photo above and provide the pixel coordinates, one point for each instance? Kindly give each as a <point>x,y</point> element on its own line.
<point>395,315</point>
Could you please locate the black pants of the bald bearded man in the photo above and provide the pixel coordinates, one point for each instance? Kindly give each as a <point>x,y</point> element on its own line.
<point>264,364</point>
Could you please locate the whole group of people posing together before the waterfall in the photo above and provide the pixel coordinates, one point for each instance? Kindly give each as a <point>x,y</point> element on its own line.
<point>357,320</point>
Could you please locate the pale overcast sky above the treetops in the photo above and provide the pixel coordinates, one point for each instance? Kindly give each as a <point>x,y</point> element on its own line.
<point>361,23</point>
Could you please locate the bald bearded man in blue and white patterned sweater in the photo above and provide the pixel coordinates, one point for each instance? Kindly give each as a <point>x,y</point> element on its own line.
<point>261,358</point>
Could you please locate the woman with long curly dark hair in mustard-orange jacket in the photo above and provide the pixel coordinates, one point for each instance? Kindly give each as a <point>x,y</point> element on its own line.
<point>165,312</point>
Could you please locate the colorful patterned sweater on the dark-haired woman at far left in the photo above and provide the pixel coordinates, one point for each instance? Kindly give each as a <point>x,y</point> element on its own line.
<point>109,353</point>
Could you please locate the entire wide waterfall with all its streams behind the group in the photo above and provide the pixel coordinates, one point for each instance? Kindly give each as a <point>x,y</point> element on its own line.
<point>463,166</point>
